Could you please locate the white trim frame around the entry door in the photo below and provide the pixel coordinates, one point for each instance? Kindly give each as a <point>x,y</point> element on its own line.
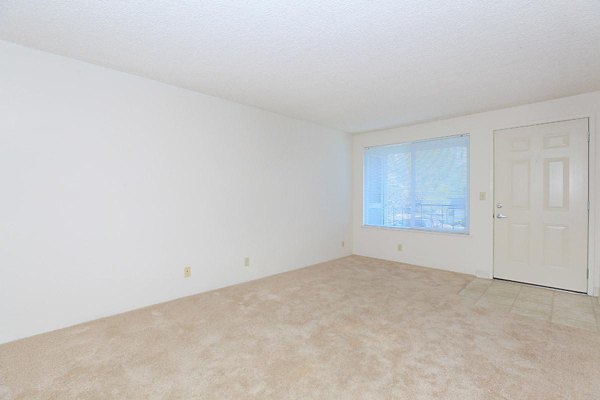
<point>591,264</point>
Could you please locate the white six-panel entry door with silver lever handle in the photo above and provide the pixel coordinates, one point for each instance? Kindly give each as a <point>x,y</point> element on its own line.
<point>541,204</point>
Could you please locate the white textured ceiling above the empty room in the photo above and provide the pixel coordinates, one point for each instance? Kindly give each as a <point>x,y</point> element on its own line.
<point>351,65</point>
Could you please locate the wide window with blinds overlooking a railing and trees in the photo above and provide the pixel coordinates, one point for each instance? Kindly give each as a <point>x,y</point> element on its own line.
<point>418,185</point>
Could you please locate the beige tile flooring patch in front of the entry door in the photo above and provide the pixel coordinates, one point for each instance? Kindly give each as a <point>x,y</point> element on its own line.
<point>556,306</point>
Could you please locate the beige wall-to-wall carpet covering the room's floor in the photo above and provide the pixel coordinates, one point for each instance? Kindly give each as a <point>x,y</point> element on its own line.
<point>354,328</point>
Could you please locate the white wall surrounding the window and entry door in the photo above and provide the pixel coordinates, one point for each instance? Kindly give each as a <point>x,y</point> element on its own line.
<point>472,254</point>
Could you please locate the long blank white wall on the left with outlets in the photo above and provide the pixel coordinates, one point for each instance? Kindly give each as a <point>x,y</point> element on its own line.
<point>111,184</point>
